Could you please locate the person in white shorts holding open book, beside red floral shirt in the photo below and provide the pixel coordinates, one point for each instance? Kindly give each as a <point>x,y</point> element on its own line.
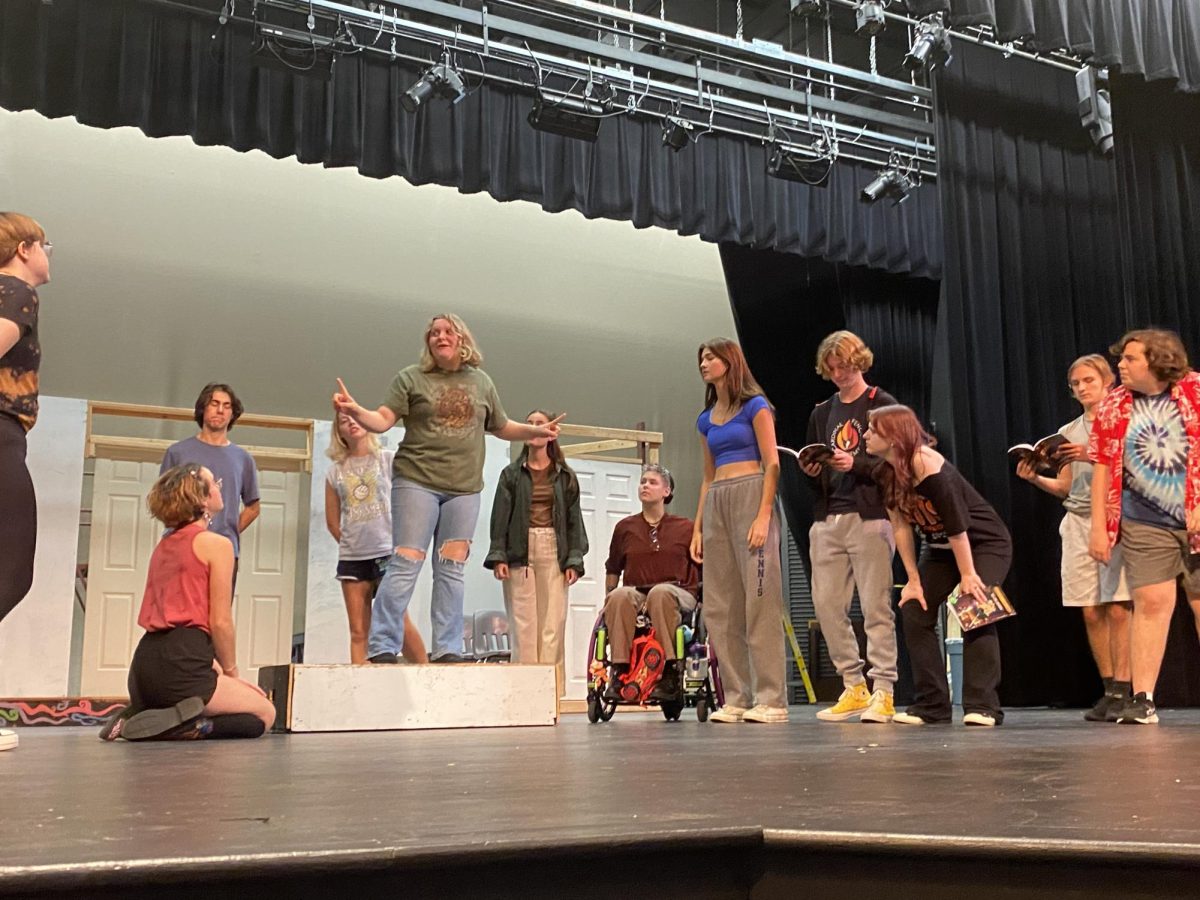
<point>1099,590</point>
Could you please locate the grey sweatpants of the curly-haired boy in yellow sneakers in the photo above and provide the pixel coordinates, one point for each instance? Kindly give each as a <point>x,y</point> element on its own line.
<point>848,551</point>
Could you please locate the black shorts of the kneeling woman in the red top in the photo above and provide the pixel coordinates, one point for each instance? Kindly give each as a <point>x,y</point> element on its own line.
<point>170,667</point>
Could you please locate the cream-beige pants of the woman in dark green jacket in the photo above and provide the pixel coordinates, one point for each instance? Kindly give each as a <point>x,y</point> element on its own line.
<point>536,602</point>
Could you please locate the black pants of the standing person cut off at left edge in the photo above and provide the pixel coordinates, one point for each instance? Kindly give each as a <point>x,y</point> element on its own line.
<point>19,518</point>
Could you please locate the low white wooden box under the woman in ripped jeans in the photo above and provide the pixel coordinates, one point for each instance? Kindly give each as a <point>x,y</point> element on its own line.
<point>401,698</point>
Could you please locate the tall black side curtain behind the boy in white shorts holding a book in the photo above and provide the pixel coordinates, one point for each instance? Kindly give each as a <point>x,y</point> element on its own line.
<point>1033,281</point>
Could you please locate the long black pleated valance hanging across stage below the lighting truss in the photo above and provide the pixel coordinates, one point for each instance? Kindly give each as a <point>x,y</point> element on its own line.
<point>115,63</point>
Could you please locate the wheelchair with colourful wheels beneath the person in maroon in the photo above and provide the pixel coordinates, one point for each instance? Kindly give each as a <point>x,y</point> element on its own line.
<point>697,658</point>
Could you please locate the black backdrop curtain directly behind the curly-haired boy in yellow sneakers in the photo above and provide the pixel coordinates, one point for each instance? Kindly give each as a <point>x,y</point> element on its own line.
<point>784,305</point>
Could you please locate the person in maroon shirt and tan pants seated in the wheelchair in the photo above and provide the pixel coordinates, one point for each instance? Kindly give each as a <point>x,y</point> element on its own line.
<point>650,557</point>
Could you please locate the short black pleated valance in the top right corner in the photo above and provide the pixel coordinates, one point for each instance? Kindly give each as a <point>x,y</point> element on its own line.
<point>1155,39</point>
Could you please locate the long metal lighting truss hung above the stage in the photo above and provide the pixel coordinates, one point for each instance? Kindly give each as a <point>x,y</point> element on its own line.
<point>586,59</point>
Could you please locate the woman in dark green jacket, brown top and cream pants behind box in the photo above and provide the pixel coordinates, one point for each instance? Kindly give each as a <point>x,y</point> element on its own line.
<point>538,548</point>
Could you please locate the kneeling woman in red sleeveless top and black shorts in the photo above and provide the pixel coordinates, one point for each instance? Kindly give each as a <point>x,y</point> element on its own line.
<point>184,679</point>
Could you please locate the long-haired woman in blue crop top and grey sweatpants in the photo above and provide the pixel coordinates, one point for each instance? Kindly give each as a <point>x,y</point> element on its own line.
<point>736,537</point>
